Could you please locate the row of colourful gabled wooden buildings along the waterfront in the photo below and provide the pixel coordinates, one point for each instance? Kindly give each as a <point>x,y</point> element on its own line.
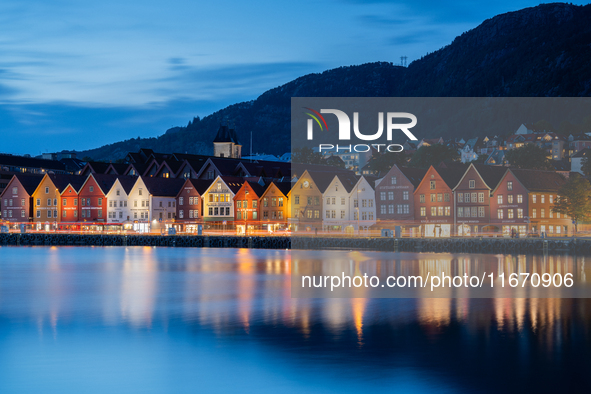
<point>450,199</point>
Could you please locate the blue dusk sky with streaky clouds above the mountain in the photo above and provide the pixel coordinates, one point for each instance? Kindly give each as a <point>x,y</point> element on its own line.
<point>77,75</point>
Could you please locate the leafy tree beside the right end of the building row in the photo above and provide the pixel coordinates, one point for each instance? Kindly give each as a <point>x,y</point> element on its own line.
<point>574,199</point>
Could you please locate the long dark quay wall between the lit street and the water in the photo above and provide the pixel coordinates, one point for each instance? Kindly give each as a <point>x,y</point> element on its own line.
<point>441,245</point>
